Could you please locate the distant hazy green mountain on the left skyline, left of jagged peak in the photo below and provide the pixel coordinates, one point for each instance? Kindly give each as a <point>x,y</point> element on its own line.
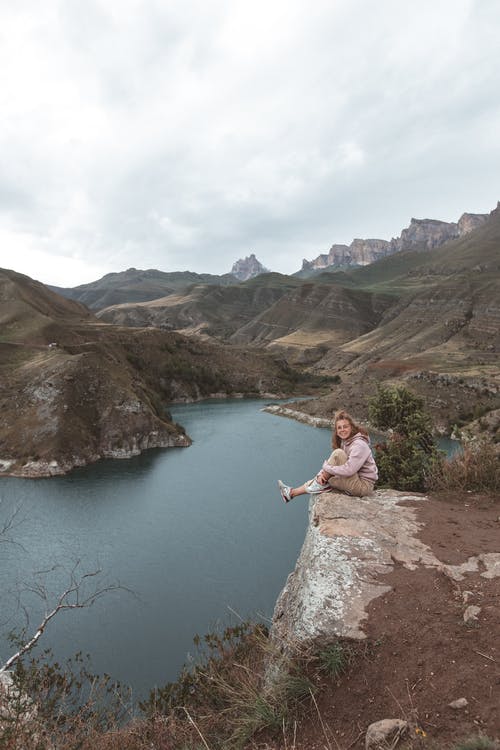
<point>135,285</point>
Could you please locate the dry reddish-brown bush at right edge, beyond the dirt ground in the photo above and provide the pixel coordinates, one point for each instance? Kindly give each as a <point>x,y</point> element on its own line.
<point>476,469</point>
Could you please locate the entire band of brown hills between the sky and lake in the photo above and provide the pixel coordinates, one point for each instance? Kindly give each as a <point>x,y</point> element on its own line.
<point>80,384</point>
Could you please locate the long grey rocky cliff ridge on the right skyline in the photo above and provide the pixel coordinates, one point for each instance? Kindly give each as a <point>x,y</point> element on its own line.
<point>421,234</point>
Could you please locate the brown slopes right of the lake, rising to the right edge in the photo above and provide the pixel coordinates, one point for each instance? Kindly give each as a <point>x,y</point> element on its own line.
<point>429,318</point>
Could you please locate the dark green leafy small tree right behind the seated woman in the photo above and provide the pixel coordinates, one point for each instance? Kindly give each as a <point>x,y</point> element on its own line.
<point>410,452</point>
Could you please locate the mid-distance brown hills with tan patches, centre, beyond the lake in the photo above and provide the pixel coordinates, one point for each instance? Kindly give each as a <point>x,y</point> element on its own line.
<point>302,319</point>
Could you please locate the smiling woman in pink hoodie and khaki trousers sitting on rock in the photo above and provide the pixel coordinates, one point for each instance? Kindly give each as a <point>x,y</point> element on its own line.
<point>351,467</point>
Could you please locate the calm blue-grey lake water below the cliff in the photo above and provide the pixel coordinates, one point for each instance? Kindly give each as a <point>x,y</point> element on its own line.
<point>197,534</point>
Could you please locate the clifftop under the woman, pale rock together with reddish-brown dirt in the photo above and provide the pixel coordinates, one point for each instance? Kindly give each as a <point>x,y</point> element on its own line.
<point>409,585</point>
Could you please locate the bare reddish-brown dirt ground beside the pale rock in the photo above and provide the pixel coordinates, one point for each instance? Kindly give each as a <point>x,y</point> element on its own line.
<point>419,655</point>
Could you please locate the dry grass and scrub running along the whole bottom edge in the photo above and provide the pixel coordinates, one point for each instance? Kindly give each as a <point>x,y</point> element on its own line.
<point>226,702</point>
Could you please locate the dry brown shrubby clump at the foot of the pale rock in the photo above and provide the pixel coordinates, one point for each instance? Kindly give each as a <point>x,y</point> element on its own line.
<point>224,694</point>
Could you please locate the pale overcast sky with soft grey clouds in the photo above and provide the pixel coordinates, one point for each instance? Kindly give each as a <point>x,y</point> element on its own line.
<point>185,134</point>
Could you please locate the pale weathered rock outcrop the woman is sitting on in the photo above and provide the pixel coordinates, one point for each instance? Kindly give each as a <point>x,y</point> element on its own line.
<point>350,545</point>
